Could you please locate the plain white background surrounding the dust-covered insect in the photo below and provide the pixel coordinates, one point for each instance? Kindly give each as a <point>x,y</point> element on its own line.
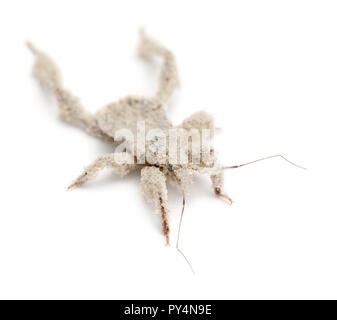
<point>266,70</point>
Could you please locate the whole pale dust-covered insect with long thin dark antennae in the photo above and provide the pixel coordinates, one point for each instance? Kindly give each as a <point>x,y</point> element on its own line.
<point>155,168</point>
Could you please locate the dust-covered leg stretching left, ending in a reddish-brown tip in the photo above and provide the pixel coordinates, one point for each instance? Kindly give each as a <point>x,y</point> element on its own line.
<point>122,163</point>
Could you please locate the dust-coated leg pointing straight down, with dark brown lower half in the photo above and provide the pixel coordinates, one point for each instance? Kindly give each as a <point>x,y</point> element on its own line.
<point>153,183</point>
